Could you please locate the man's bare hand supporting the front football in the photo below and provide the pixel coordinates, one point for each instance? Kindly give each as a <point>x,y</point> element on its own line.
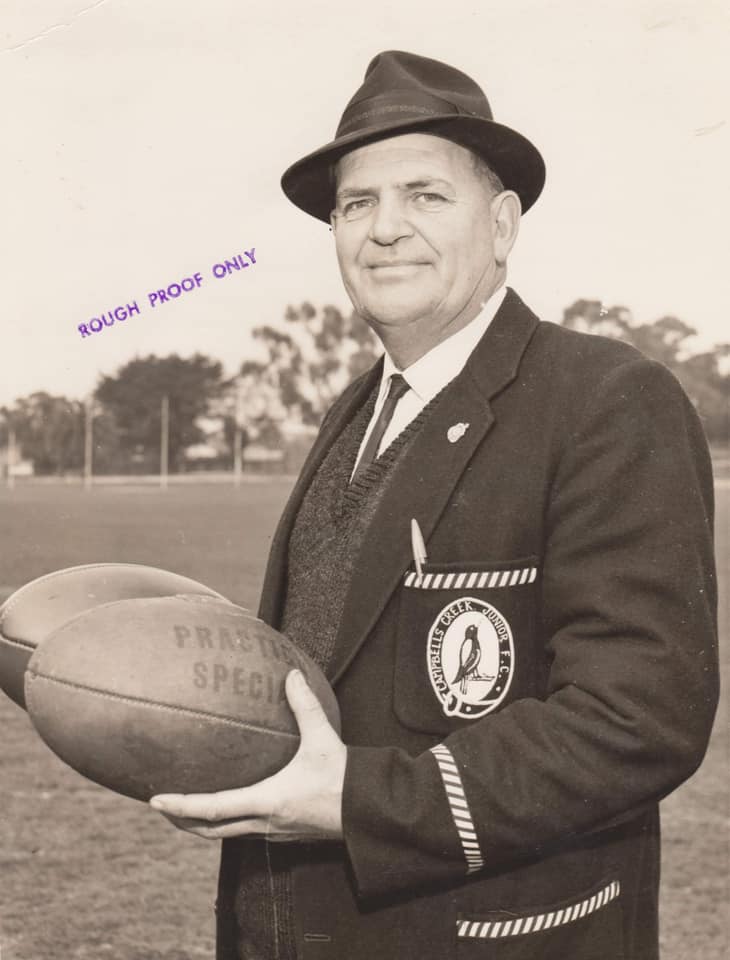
<point>303,801</point>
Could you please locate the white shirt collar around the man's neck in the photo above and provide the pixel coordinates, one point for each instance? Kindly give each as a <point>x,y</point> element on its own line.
<point>431,372</point>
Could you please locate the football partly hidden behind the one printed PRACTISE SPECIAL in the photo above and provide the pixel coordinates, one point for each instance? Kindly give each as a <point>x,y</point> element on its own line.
<point>33,611</point>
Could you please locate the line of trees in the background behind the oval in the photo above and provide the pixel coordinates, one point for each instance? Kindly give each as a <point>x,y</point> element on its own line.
<point>306,362</point>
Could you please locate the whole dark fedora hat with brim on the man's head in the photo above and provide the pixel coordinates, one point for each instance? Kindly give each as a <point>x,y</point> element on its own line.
<point>406,93</point>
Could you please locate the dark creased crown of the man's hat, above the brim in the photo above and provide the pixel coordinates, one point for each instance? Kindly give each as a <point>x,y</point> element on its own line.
<point>403,85</point>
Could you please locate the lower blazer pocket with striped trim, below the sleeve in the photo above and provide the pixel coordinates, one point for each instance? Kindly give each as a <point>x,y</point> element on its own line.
<point>588,927</point>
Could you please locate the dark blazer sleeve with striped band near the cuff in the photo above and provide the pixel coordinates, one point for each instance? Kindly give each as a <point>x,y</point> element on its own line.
<point>629,612</point>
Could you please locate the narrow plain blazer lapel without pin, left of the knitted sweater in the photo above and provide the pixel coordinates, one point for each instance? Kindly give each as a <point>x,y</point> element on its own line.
<point>272,593</point>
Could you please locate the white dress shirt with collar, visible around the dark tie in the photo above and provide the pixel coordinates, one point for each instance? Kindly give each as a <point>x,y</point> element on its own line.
<point>430,374</point>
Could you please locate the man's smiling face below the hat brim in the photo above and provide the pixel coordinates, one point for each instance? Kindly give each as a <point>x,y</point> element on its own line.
<point>414,233</point>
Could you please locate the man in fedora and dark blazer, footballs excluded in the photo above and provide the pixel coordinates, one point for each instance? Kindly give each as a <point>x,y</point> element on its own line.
<point>523,680</point>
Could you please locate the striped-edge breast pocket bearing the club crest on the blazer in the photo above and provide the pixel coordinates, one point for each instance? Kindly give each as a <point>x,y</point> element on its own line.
<point>465,642</point>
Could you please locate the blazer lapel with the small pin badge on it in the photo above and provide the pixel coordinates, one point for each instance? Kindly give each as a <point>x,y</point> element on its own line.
<point>423,480</point>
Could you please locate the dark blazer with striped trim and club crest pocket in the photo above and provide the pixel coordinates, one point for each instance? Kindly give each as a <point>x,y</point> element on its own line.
<point>564,490</point>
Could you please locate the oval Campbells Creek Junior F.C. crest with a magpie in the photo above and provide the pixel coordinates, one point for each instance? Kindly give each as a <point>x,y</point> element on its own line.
<point>470,658</point>
